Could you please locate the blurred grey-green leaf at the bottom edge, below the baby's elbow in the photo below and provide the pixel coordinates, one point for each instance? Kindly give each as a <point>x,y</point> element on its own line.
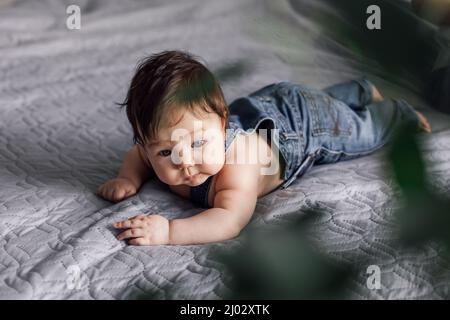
<point>282,264</point>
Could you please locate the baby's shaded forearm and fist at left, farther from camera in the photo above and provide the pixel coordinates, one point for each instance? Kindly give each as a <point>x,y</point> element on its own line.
<point>133,173</point>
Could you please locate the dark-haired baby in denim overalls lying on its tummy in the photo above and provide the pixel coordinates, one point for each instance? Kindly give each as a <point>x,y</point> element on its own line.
<point>223,158</point>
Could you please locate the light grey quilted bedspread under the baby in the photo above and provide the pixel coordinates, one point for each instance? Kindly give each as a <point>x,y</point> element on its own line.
<point>61,136</point>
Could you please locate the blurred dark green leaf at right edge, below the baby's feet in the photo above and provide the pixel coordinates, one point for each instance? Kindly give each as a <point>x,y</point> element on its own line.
<point>424,215</point>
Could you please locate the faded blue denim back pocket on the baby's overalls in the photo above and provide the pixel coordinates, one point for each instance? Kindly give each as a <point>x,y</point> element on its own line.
<point>328,116</point>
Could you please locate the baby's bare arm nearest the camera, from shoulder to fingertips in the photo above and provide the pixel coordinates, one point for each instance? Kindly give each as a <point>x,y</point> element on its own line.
<point>234,204</point>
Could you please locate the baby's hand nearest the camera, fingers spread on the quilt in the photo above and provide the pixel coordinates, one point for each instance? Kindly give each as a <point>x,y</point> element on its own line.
<point>144,230</point>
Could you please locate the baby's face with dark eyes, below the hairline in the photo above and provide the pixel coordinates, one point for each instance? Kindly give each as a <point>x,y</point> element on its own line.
<point>190,151</point>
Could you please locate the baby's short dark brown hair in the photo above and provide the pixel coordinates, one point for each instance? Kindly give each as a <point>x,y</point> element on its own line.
<point>169,81</point>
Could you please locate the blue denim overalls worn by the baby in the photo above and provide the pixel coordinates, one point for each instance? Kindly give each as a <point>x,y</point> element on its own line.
<point>315,126</point>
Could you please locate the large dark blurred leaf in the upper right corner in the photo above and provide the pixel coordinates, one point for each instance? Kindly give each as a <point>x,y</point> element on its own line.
<point>403,49</point>
